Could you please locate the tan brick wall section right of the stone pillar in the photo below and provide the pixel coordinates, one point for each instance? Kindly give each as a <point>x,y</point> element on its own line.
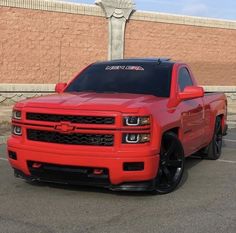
<point>211,52</point>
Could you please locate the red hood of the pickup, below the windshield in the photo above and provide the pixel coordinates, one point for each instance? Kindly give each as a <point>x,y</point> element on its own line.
<point>91,101</point>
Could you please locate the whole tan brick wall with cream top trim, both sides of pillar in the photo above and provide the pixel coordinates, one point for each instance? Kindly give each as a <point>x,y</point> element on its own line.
<point>52,42</point>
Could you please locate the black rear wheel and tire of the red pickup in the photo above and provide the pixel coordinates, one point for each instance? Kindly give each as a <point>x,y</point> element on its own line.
<point>215,147</point>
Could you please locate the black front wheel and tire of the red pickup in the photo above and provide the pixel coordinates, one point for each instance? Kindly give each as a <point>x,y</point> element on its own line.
<point>171,167</point>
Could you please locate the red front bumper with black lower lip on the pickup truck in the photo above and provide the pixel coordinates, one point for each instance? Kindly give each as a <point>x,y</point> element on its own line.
<point>52,166</point>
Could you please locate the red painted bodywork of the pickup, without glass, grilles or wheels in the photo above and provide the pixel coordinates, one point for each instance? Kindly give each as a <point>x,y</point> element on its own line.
<point>192,119</point>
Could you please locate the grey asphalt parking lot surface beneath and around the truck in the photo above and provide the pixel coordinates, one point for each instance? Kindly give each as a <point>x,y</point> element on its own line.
<point>205,202</point>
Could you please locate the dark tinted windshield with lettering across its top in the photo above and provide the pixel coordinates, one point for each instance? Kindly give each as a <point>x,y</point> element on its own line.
<point>147,78</point>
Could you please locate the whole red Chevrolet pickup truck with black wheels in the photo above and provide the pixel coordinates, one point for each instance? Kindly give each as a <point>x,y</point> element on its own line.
<point>123,124</point>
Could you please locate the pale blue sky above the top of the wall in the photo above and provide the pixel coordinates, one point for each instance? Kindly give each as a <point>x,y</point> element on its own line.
<point>210,8</point>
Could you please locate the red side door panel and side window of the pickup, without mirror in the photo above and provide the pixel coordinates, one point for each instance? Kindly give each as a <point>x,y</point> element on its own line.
<point>192,116</point>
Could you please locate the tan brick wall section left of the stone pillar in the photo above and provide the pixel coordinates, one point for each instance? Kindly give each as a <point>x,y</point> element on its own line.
<point>46,47</point>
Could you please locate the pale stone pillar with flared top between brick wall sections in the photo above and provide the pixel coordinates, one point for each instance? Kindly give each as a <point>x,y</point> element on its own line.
<point>117,12</point>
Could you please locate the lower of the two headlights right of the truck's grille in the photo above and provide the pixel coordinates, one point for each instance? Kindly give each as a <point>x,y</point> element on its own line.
<point>136,138</point>
